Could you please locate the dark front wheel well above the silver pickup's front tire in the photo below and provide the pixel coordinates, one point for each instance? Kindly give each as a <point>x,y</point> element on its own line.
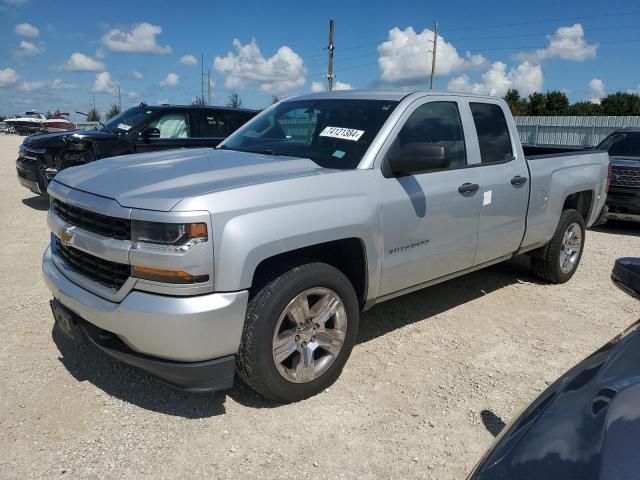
<point>347,255</point>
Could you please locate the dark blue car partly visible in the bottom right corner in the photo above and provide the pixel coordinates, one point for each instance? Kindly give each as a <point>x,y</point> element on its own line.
<point>586,425</point>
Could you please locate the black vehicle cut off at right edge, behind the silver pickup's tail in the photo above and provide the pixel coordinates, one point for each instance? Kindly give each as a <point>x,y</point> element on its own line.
<point>623,198</point>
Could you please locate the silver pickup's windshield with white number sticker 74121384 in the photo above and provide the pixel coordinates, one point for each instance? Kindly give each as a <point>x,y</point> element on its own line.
<point>334,133</point>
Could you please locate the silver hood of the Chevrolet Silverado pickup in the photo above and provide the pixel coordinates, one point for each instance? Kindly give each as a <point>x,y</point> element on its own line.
<point>159,180</point>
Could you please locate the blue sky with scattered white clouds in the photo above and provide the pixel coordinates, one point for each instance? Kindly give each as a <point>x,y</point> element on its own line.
<point>62,55</point>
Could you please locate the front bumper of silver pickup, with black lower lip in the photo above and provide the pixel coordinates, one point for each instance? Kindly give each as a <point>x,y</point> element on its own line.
<point>189,342</point>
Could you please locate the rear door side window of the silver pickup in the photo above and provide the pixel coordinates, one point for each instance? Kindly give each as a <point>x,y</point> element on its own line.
<point>493,133</point>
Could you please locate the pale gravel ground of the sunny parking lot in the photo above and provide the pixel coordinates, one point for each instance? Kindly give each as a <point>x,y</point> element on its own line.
<point>433,377</point>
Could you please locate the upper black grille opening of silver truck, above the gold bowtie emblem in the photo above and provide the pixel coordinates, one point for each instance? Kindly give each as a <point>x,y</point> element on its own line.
<point>118,228</point>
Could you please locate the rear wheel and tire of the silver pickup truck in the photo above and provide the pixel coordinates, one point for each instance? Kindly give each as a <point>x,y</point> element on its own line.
<point>558,260</point>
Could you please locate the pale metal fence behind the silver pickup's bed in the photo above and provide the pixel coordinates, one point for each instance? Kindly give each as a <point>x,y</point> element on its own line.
<point>583,131</point>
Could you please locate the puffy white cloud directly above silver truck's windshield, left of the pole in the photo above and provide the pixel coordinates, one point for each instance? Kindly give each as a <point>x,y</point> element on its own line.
<point>278,74</point>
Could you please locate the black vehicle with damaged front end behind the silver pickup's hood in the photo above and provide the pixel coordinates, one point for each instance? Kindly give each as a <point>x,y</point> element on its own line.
<point>136,130</point>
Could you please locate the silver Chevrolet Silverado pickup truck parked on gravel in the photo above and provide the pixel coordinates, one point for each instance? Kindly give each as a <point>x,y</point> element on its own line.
<point>257,257</point>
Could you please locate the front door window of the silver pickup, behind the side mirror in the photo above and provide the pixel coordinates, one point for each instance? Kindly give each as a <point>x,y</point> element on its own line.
<point>437,123</point>
